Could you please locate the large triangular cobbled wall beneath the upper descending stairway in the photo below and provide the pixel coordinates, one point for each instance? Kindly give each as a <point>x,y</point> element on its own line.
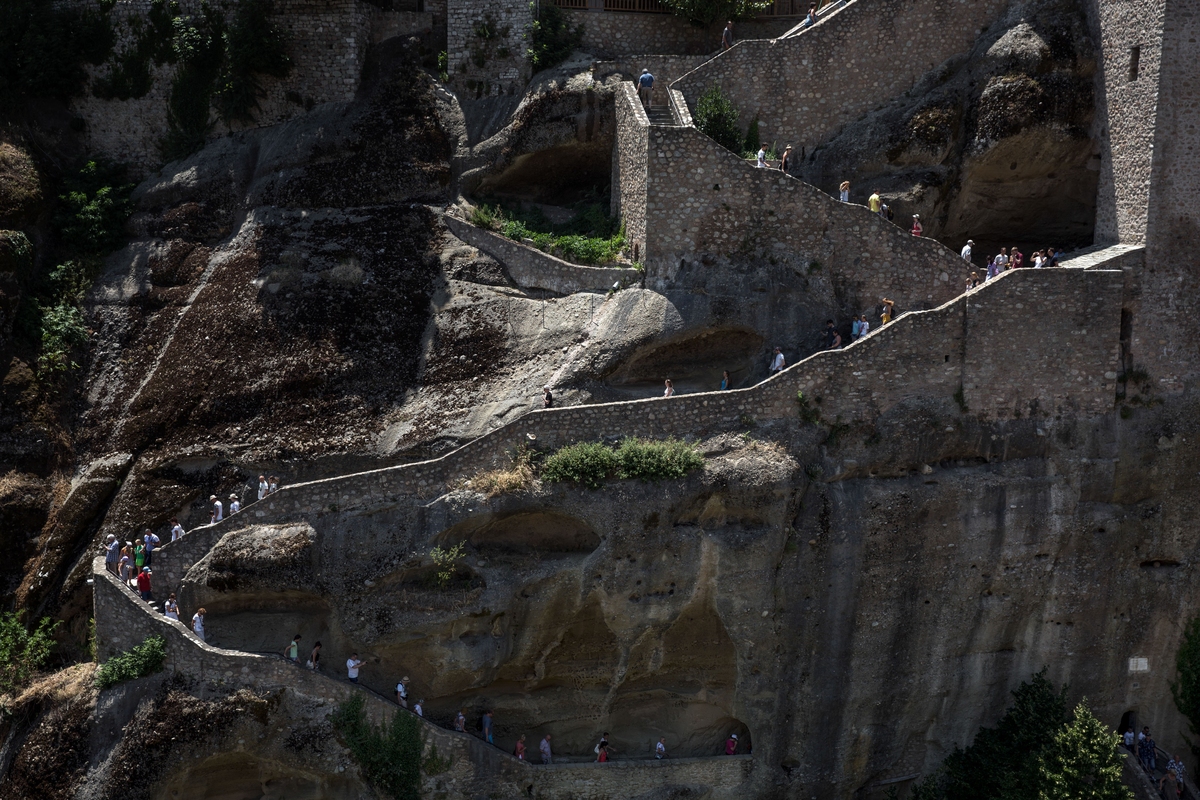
<point>701,199</point>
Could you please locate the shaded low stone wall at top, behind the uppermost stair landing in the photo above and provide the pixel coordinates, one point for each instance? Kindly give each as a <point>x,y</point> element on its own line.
<point>617,34</point>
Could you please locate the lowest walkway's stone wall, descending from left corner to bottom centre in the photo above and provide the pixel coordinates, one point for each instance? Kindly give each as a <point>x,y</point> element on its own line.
<point>124,621</point>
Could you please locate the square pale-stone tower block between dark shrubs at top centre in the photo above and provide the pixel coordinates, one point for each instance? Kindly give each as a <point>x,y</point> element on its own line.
<point>487,47</point>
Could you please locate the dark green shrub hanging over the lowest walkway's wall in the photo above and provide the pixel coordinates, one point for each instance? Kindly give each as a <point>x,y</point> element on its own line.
<point>388,755</point>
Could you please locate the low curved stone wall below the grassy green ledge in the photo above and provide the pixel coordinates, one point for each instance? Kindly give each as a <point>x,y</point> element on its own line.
<point>533,269</point>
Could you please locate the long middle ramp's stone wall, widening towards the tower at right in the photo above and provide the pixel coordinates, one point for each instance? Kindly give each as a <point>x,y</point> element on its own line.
<point>1039,324</point>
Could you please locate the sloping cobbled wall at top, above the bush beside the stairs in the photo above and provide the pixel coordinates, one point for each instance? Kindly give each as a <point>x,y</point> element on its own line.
<point>808,86</point>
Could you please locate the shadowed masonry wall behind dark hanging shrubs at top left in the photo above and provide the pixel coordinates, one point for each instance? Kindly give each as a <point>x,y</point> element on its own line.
<point>328,44</point>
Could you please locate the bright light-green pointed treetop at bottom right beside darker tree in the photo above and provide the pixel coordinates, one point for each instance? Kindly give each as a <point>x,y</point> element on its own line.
<point>1082,762</point>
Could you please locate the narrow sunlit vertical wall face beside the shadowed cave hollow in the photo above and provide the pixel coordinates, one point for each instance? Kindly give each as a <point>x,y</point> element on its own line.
<point>629,166</point>
